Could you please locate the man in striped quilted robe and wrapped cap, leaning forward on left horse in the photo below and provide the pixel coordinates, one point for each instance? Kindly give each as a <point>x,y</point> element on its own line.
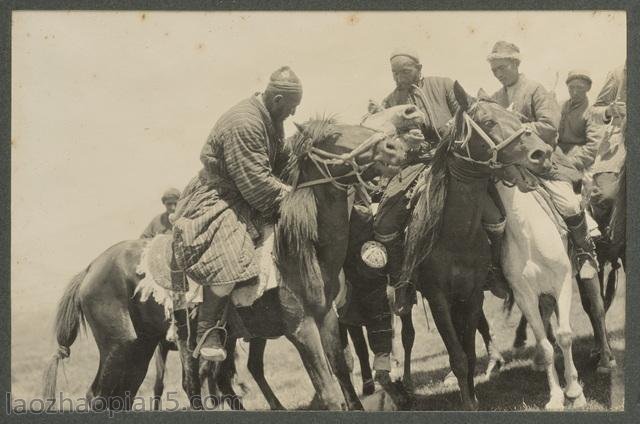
<point>222,209</point>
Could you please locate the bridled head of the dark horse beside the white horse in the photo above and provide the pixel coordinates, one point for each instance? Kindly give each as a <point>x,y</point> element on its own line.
<point>492,135</point>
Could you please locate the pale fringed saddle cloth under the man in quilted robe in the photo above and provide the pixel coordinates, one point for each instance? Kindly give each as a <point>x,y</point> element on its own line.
<point>155,268</point>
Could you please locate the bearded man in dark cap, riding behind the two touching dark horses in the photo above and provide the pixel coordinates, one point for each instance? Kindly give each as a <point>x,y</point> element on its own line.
<point>434,96</point>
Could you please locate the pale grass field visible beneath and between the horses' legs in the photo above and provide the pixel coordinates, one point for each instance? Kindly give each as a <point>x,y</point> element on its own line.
<point>517,387</point>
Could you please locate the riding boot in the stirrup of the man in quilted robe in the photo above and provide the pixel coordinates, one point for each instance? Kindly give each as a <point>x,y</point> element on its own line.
<point>211,332</point>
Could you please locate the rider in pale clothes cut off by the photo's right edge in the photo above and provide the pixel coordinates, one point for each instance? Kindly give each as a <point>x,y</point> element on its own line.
<point>609,111</point>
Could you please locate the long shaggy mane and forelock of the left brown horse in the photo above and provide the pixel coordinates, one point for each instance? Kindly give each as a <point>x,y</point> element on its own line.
<point>296,233</point>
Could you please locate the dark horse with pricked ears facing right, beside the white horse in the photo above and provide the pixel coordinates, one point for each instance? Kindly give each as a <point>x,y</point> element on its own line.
<point>446,244</point>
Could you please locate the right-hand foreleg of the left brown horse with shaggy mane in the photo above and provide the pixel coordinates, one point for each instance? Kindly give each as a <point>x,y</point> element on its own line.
<point>329,336</point>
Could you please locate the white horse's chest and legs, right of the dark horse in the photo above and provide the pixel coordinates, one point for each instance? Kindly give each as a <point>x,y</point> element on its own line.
<point>536,262</point>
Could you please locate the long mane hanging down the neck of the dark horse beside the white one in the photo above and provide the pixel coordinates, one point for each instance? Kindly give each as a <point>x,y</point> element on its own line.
<point>425,224</point>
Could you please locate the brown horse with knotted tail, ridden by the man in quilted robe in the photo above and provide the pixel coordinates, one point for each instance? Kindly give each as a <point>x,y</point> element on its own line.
<point>310,242</point>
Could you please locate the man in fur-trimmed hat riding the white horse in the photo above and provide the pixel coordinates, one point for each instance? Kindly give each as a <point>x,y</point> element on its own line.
<point>540,111</point>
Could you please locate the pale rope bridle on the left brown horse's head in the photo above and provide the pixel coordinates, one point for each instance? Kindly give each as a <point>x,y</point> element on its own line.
<point>323,159</point>
